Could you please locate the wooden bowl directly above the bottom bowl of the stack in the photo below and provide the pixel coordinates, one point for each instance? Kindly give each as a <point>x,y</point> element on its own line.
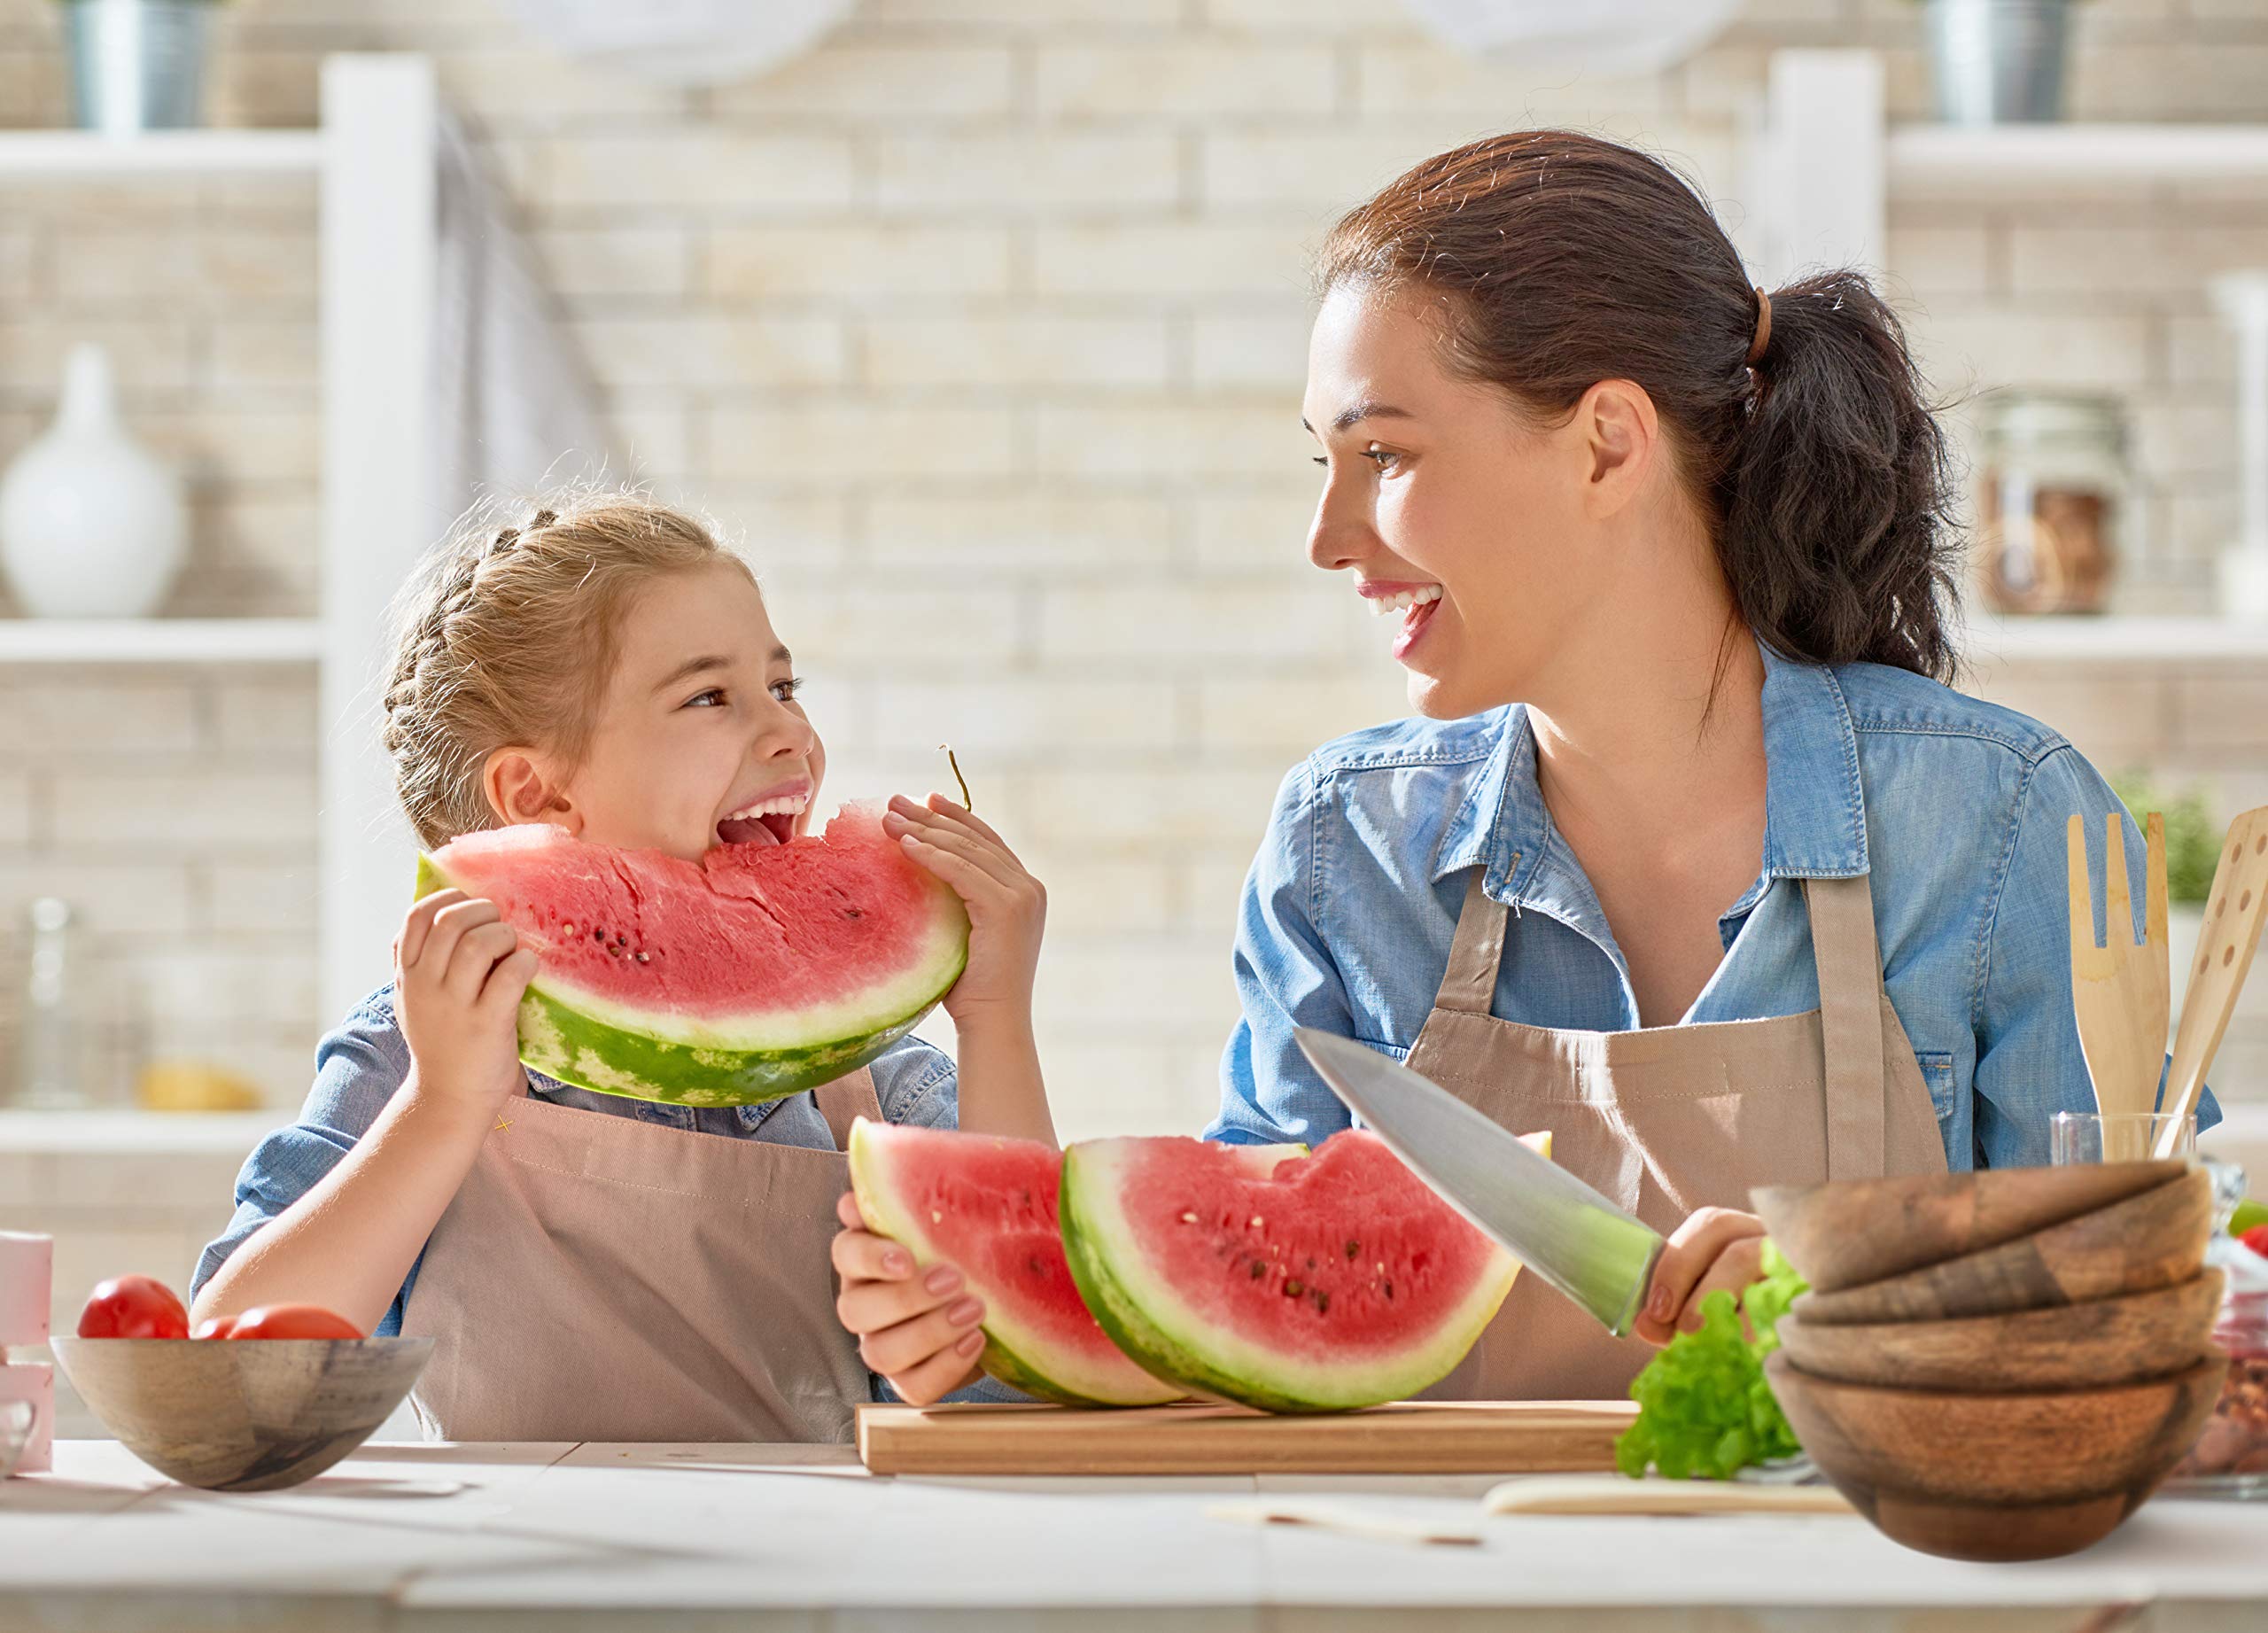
<point>2070,1346</point>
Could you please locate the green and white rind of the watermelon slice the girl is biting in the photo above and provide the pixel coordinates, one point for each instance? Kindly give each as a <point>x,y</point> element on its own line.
<point>584,1040</point>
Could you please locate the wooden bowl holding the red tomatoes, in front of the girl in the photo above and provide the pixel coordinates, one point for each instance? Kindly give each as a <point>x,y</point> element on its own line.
<point>251,1414</point>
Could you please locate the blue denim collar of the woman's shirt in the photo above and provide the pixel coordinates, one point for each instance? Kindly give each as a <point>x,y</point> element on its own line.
<point>1816,809</point>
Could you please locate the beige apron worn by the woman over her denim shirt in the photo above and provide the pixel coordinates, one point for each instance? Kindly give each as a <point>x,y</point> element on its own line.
<point>1673,1119</point>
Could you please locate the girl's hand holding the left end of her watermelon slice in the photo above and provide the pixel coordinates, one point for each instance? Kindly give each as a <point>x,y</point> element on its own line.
<point>459,974</point>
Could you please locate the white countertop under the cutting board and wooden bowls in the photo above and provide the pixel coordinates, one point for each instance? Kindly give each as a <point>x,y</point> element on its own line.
<point>804,1539</point>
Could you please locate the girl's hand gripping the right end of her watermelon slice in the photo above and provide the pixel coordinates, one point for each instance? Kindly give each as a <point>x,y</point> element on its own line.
<point>1008,908</point>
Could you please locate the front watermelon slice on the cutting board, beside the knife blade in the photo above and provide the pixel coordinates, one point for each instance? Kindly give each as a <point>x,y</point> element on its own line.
<point>1332,1283</point>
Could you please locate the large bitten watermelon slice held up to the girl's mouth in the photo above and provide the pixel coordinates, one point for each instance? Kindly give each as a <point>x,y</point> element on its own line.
<point>759,972</point>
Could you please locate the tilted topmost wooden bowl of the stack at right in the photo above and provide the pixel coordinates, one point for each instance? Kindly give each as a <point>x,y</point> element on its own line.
<point>1861,1230</point>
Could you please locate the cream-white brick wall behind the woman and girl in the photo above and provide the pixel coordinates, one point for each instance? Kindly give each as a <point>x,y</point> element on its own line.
<point>983,330</point>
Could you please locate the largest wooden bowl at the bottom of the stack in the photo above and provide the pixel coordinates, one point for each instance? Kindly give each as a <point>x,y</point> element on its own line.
<point>1997,1478</point>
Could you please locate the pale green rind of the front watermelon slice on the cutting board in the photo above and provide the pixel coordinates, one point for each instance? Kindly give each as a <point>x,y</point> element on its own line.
<point>1149,1321</point>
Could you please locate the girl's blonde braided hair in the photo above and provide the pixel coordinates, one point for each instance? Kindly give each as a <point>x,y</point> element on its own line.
<point>509,634</point>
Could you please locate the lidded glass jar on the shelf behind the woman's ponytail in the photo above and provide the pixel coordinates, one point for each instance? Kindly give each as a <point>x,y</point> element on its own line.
<point>2054,502</point>
